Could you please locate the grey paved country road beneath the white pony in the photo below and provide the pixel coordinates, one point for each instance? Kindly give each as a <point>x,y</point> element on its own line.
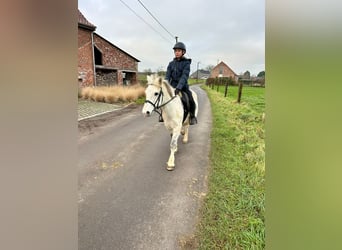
<point>126,197</point>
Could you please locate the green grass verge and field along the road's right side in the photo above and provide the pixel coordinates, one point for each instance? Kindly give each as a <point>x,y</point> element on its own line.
<point>233,212</point>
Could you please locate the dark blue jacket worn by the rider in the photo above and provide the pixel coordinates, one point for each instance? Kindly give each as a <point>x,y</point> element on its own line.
<point>178,73</point>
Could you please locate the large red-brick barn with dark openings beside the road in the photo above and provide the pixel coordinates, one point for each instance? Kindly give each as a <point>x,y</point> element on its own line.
<point>99,61</point>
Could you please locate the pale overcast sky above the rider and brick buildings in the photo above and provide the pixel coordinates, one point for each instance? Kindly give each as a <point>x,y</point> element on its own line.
<point>232,31</point>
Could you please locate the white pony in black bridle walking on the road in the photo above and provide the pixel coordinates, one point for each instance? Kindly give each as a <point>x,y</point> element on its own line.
<point>160,98</point>
